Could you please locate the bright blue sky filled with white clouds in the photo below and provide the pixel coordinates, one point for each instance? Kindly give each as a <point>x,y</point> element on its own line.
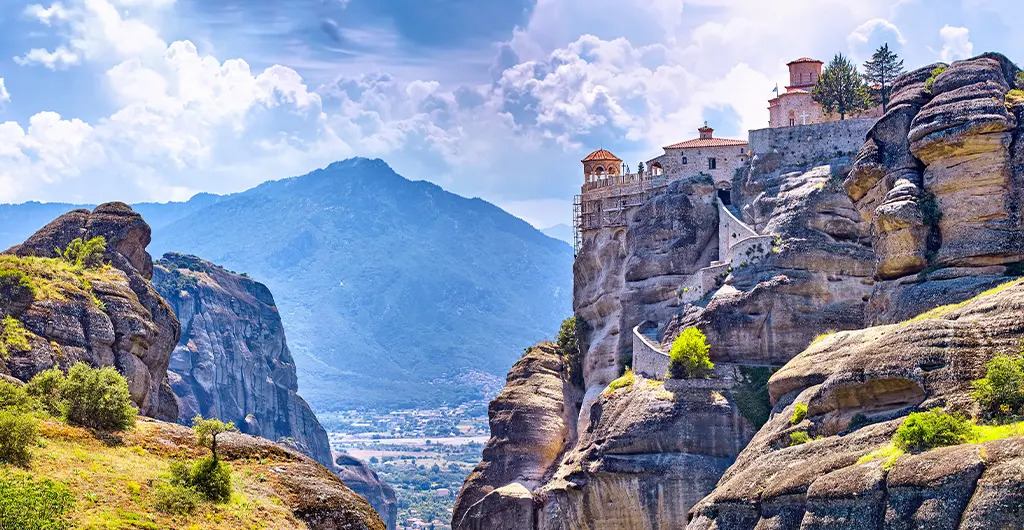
<point>155,101</point>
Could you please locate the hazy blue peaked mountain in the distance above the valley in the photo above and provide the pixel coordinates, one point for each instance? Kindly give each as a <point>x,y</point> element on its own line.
<point>388,287</point>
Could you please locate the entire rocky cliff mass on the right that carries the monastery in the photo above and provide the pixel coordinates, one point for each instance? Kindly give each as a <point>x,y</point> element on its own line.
<point>927,213</point>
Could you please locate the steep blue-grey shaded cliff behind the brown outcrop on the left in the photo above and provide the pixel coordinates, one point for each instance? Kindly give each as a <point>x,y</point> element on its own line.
<point>233,363</point>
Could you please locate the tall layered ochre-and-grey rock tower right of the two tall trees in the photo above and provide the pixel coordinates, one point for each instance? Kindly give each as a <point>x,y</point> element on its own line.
<point>941,180</point>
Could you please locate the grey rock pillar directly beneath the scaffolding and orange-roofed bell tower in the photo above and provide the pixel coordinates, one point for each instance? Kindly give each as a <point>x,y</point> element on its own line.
<point>626,276</point>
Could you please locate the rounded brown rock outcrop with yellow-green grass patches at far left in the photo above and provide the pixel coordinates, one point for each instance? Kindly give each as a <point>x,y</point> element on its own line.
<point>110,317</point>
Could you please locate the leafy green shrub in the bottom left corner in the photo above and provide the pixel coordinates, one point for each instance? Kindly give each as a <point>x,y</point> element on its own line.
<point>27,504</point>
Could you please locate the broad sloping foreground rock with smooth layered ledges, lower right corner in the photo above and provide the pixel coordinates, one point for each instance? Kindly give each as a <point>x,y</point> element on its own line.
<point>859,386</point>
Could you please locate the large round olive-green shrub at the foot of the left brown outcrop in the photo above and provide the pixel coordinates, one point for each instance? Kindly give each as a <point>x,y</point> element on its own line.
<point>97,400</point>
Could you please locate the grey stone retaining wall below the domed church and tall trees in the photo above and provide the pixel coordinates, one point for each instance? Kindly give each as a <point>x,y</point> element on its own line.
<point>802,145</point>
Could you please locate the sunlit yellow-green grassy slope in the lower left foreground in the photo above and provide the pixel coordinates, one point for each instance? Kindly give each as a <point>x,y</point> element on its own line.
<point>113,481</point>
